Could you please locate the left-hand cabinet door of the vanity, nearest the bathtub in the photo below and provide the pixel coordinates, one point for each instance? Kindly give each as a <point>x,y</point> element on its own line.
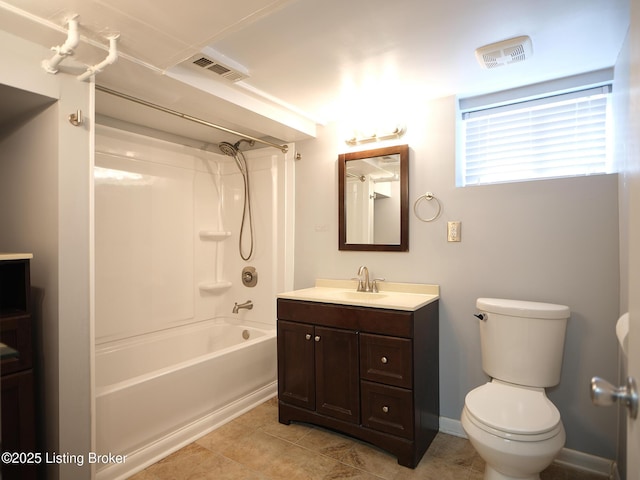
<point>296,376</point>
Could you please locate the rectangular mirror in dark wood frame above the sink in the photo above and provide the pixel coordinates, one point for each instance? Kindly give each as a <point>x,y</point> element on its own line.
<point>373,199</point>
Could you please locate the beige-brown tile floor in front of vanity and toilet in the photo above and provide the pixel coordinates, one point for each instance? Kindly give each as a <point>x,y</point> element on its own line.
<point>255,446</point>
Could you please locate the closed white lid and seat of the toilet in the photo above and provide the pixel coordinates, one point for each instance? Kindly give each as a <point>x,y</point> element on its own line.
<point>513,409</point>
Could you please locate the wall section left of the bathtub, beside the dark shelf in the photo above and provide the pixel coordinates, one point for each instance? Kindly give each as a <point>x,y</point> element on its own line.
<point>45,198</point>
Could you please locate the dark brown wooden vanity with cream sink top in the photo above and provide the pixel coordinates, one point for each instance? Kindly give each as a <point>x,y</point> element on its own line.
<point>364,364</point>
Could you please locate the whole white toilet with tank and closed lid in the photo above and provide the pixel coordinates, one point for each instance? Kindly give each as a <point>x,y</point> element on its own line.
<point>510,421</point>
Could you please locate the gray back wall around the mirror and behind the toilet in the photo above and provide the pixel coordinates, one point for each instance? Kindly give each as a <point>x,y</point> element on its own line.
<point>553,241</point>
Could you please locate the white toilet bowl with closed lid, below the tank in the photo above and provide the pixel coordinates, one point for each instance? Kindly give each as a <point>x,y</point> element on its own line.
<point>516,430</point>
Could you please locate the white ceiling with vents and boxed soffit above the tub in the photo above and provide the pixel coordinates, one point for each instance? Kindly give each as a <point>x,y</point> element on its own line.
<point>310,61</point>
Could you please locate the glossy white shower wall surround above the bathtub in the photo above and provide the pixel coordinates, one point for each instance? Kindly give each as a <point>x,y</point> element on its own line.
<point>159,264</point>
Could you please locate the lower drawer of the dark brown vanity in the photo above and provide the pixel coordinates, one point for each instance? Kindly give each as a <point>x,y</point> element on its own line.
<point>387,409</point>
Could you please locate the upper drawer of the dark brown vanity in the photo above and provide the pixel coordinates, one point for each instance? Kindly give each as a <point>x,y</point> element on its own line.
<point>386,359</point>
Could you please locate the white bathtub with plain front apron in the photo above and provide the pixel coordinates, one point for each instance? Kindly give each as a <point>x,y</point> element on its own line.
<point>159,392</point>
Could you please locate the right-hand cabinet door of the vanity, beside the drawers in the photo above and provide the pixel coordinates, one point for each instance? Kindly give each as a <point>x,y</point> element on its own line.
<point>337,373</point>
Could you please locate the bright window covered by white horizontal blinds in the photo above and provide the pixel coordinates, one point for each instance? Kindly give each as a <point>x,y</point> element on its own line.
<point>554,136</point>
